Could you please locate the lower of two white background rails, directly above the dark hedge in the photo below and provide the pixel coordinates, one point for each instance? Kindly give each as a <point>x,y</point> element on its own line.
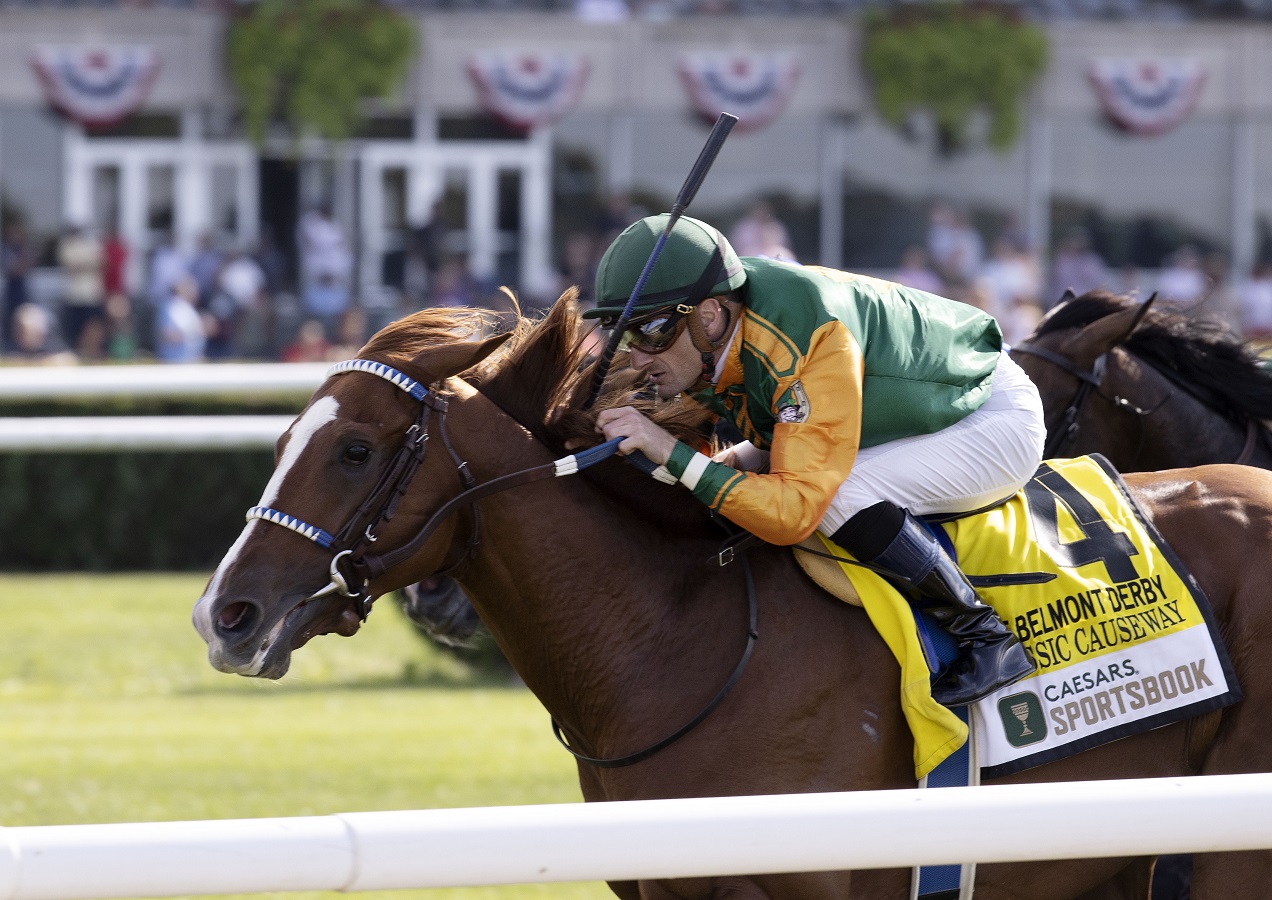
<point>79,434</point>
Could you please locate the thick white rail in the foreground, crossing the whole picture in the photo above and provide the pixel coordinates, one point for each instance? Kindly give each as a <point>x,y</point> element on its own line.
<point>649,840</point>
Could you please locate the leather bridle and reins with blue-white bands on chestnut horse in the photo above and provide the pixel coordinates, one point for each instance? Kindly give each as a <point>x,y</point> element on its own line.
<point>350,545</point>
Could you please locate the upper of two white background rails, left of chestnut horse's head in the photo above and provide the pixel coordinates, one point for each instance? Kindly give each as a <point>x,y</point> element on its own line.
<point>157,381</point>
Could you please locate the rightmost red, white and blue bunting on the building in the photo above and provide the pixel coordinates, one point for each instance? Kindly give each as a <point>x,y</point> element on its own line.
<point>1148,96</point>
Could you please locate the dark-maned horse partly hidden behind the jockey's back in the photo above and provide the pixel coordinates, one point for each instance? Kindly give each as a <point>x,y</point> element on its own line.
<point>1149,388</point>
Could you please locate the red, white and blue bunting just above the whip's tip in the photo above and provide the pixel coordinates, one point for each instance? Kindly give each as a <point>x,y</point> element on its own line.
<point>754,87</point>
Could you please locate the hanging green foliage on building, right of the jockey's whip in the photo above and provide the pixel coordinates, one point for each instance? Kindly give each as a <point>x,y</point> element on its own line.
<point>953,59</point>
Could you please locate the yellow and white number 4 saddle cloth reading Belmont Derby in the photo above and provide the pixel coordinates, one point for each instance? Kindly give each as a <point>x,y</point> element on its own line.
<point>1124,639</point>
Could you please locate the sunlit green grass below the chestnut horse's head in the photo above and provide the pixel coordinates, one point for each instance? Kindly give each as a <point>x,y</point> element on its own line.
<point>111,714</point>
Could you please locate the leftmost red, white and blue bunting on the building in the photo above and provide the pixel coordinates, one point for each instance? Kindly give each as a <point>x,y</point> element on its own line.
<point>97,86</point>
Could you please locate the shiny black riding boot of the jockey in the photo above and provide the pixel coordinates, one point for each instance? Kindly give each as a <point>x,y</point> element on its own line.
<point>990,657</point>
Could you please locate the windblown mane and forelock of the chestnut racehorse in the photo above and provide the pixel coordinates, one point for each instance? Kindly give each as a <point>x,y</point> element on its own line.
<point>541,377</point>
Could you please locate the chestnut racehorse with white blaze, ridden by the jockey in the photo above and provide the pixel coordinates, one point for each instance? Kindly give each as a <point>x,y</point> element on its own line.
<point>605,592</point>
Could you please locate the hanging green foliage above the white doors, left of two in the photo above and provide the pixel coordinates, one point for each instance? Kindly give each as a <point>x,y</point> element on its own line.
<point>310,64</point>
